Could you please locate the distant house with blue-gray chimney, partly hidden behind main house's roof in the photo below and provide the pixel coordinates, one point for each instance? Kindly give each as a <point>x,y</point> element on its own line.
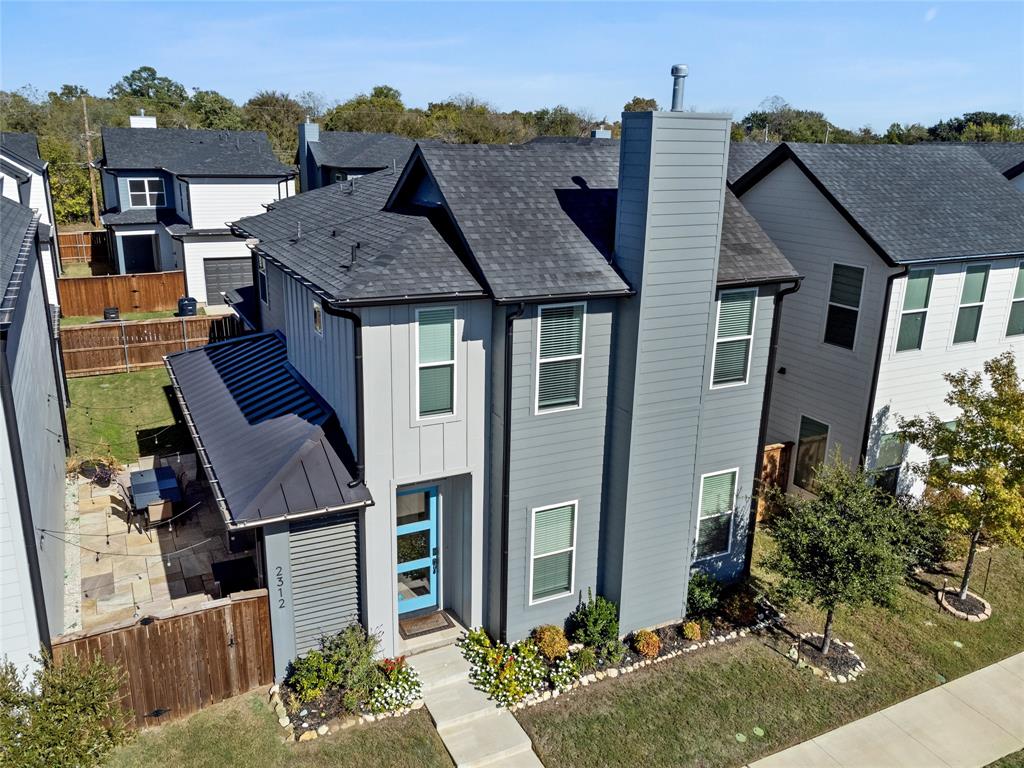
<point>327,157</point>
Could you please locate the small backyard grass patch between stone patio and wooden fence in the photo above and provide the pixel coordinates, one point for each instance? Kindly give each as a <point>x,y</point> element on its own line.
<point>123,415</point>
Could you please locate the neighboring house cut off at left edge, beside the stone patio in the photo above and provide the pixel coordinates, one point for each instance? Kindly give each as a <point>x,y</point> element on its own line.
<point>33,442</point>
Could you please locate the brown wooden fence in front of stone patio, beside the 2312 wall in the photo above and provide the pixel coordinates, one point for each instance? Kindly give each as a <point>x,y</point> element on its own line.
<point>177,666</point>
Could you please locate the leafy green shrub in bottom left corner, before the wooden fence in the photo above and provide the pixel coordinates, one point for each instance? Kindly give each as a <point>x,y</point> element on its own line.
<point>69,714</point>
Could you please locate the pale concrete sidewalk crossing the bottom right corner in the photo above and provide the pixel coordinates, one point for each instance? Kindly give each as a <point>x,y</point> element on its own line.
<point>967,723</point>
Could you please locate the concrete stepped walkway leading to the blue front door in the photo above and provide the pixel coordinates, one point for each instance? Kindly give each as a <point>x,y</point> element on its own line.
<point>475,731</point>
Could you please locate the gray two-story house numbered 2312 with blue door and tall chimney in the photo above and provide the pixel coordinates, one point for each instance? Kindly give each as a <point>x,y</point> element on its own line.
<point>516,374</point>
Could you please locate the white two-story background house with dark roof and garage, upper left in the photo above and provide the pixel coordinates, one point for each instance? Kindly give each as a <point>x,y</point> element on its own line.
<point>172,195</point>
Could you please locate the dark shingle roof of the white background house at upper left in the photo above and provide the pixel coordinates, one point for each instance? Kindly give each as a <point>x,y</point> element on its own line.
<point>192,153</point>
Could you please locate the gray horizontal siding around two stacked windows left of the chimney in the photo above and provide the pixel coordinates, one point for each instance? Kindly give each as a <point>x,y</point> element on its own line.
<point>556,457</point>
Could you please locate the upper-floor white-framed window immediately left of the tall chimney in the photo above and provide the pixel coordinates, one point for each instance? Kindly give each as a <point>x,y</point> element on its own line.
<point>560,365</point>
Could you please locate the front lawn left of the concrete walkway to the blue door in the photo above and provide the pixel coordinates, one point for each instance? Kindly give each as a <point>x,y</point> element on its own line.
<point>244,733</point>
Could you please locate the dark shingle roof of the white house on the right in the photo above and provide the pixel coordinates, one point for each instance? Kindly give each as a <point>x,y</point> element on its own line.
<point>915,203</point>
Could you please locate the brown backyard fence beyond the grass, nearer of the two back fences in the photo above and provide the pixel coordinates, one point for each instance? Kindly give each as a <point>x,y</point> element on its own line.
<point>125,347</point>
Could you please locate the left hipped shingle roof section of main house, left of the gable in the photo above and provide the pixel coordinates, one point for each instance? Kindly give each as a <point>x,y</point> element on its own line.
<point>400,254</point>
